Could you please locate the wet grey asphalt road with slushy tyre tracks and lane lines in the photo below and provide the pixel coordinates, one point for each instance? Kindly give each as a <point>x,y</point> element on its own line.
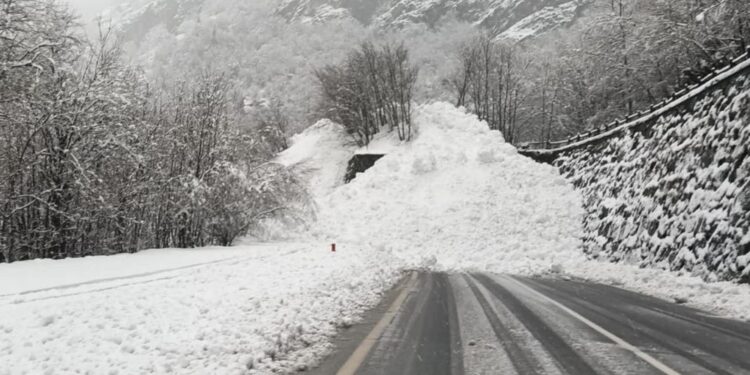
<point>437,324</point>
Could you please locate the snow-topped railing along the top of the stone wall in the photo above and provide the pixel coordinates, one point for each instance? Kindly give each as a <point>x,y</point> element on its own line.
<point>660,108</point>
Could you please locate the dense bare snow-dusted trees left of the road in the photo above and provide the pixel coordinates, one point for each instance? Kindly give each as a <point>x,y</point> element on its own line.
<point>98,160</point>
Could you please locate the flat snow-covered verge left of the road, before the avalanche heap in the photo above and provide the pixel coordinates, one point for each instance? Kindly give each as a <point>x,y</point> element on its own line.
<point>274,309</point>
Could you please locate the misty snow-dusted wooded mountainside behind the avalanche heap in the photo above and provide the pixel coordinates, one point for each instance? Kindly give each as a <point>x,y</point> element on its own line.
<point>570,65</point>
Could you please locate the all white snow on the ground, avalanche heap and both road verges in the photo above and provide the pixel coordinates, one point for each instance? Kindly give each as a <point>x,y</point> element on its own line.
<point>457,198</point>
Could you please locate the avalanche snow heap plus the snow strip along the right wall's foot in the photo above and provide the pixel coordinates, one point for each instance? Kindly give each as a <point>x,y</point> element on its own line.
<point>458,198</point>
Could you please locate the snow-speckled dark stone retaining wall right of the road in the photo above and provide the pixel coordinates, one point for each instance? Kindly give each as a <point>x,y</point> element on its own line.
<point>676,195</point>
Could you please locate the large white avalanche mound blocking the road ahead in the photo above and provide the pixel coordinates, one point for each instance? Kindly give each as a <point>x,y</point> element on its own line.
<point>458,198</point>
